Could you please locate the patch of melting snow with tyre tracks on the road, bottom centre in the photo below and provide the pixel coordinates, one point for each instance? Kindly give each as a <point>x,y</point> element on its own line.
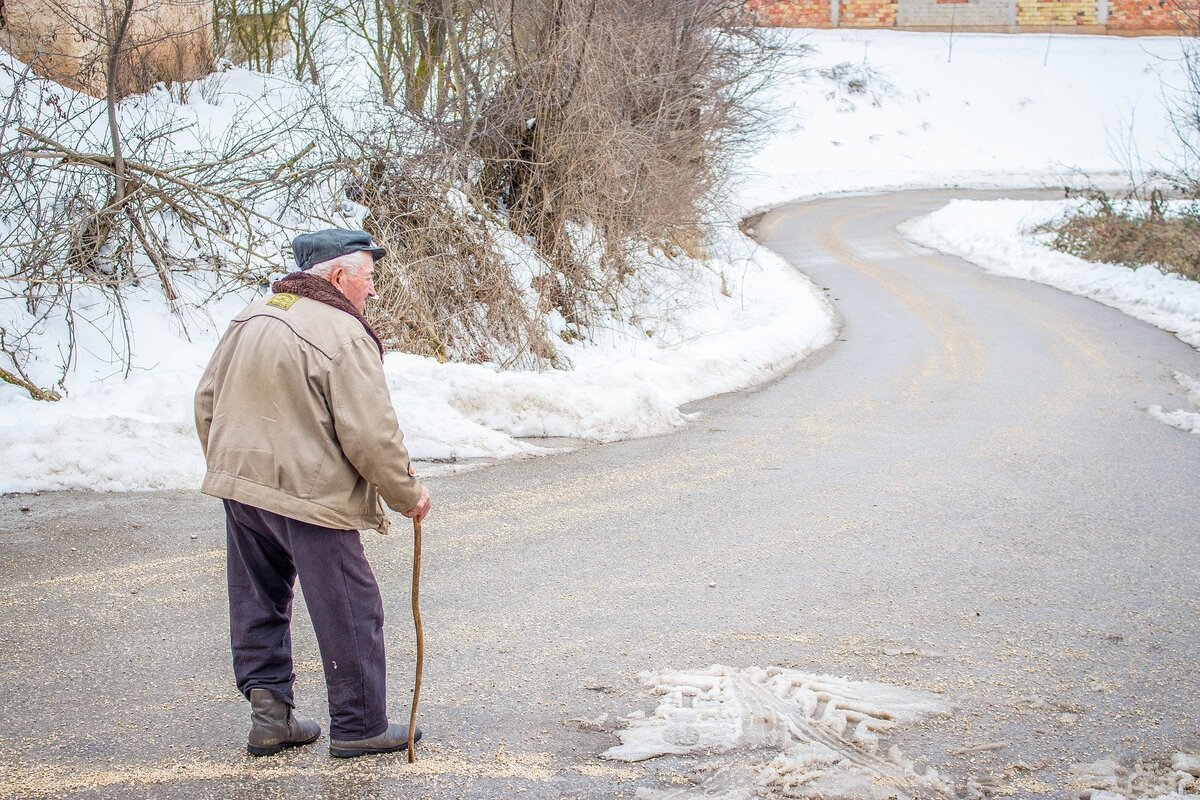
<point>806,736</point>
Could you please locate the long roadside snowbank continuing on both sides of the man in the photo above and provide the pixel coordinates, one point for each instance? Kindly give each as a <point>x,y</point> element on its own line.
<point>116,434</point>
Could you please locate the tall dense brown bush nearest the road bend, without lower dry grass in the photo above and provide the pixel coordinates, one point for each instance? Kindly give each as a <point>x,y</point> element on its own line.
<point>616,116</point>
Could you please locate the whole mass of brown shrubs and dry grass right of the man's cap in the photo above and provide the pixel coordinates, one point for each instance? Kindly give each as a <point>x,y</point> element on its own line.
<point>591,129</point>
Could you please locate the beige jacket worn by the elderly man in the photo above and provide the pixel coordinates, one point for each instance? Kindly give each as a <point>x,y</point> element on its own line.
<point>295,417</point>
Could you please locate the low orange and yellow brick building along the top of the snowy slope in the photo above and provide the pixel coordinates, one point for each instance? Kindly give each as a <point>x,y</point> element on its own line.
<point>1124,17</point>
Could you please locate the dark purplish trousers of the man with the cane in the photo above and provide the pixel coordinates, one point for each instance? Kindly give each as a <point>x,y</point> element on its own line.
<point>267,552</point>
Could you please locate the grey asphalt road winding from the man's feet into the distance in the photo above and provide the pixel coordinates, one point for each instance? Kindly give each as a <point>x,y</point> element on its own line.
<point>964,494</point>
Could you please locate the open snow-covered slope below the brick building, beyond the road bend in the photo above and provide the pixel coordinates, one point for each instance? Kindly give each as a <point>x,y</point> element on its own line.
<point>879,111</point>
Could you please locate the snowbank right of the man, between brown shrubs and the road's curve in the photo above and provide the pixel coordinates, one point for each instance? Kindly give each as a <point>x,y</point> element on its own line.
<point>623,384</point>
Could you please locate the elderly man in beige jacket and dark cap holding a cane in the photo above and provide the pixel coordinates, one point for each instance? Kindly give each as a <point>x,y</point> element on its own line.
<point>302,444</point>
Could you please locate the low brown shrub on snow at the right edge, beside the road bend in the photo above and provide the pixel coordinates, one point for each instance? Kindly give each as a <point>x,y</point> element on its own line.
<point>1133,234</point>
